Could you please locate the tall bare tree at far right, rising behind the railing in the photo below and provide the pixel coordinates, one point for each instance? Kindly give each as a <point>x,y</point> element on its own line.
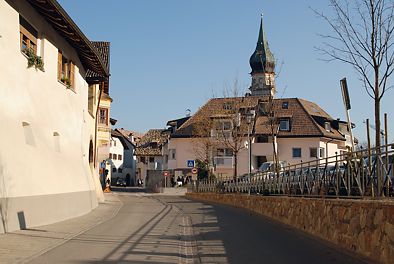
<point>363,37</point>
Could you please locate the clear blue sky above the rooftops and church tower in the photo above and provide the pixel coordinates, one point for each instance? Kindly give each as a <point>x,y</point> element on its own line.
<point>173,55</point>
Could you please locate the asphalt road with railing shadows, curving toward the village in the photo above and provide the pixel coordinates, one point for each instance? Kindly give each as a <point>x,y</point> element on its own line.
<point>169,229</point>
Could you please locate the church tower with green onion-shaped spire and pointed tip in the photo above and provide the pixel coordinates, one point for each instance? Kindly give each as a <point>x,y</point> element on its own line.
<point>262,63</point>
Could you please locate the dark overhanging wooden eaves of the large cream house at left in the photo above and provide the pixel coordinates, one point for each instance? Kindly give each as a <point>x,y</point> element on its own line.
<point>56,16</point>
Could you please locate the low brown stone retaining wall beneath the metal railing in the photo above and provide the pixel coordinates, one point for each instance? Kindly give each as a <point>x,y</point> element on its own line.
<point>363,226</point>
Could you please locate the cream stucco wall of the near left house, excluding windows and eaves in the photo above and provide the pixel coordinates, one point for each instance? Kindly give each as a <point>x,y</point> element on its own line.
<point>34,107</point>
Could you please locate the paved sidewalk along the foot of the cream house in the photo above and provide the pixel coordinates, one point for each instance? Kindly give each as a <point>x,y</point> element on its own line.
<point>23,245</point>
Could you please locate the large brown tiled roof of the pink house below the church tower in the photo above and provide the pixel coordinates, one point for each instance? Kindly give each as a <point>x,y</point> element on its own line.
<point>307,118</point>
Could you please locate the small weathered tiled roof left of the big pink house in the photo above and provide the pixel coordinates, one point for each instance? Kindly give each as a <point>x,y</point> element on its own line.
<point>151,143</point>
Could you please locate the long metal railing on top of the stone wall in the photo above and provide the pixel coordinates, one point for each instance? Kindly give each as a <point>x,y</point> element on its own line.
<point>355,174</point>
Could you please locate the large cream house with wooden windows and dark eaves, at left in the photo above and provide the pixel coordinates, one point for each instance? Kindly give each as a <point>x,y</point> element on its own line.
<point>47,155</point>
